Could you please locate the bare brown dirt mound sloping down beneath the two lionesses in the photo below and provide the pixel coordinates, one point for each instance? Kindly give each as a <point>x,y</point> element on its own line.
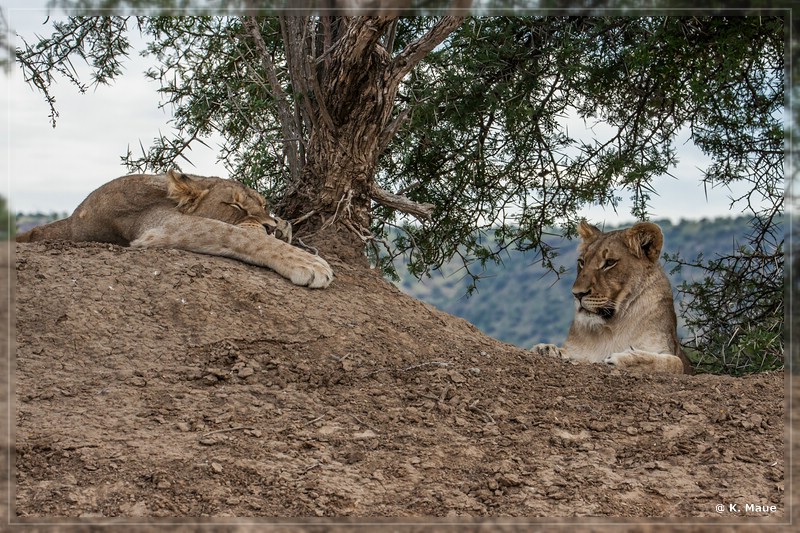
<point>168,384</point>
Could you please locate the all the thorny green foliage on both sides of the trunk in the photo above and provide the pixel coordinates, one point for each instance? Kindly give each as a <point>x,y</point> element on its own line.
<point>487,137</point>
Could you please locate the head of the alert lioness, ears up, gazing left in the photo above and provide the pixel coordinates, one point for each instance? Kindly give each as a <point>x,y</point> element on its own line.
<point>610,265</point>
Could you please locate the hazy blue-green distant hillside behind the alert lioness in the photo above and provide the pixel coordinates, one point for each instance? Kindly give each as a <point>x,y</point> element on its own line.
<point>520,303</point>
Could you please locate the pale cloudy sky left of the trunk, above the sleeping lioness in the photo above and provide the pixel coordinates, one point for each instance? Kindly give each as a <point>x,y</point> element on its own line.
<point>53,169</point>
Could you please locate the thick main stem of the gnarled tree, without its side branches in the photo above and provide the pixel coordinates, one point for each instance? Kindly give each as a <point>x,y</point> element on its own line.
<point>342,150</point>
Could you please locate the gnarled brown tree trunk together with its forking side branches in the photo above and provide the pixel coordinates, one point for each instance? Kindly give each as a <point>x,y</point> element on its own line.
<point>345,80</point>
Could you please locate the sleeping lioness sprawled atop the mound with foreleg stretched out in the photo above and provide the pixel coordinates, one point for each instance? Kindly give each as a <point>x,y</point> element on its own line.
<point>205,215</point>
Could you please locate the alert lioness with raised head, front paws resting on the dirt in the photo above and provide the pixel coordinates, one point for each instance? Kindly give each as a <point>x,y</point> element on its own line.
<point>624,313</point>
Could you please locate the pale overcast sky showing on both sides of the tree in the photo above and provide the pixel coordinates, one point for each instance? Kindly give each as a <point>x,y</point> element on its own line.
<point>53,169</point>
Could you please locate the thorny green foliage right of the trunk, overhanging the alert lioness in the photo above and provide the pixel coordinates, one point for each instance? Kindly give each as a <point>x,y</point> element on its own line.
<point>488,143</point>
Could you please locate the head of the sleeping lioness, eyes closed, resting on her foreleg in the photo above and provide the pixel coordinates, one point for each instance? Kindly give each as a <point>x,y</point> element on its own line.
<point>225,200</point>
